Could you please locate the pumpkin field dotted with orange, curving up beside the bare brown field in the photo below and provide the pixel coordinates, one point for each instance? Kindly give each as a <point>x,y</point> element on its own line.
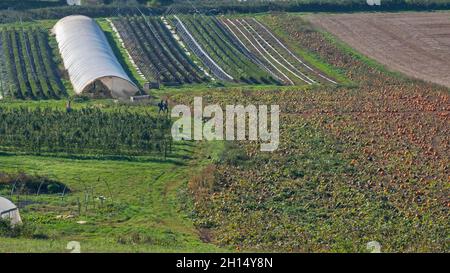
<point>354,164</point>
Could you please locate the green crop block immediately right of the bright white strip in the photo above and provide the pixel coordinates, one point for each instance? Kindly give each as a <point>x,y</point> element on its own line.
<point>216,41</point>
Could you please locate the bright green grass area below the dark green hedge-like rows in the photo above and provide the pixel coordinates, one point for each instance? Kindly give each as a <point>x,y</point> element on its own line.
<point>143,210</point>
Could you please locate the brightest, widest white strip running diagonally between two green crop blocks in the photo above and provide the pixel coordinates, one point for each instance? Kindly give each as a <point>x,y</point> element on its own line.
<point>198,50</point>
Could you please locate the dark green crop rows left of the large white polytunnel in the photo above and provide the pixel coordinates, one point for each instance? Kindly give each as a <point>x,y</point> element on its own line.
<point>31,70</point>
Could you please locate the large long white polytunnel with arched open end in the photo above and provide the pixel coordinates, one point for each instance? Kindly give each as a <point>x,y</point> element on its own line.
<point>90,60</point>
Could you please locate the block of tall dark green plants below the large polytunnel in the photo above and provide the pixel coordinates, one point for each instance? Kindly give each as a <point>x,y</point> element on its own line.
<point>87,131</point>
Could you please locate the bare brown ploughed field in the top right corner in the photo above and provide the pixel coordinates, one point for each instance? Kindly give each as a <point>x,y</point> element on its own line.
<point>417,44</point>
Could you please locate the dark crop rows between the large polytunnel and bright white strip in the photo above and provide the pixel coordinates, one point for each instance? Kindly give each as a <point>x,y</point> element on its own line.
<point>156,52</point>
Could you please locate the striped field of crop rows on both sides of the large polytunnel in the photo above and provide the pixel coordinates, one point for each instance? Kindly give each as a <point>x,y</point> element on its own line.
<point>171,51</point>
